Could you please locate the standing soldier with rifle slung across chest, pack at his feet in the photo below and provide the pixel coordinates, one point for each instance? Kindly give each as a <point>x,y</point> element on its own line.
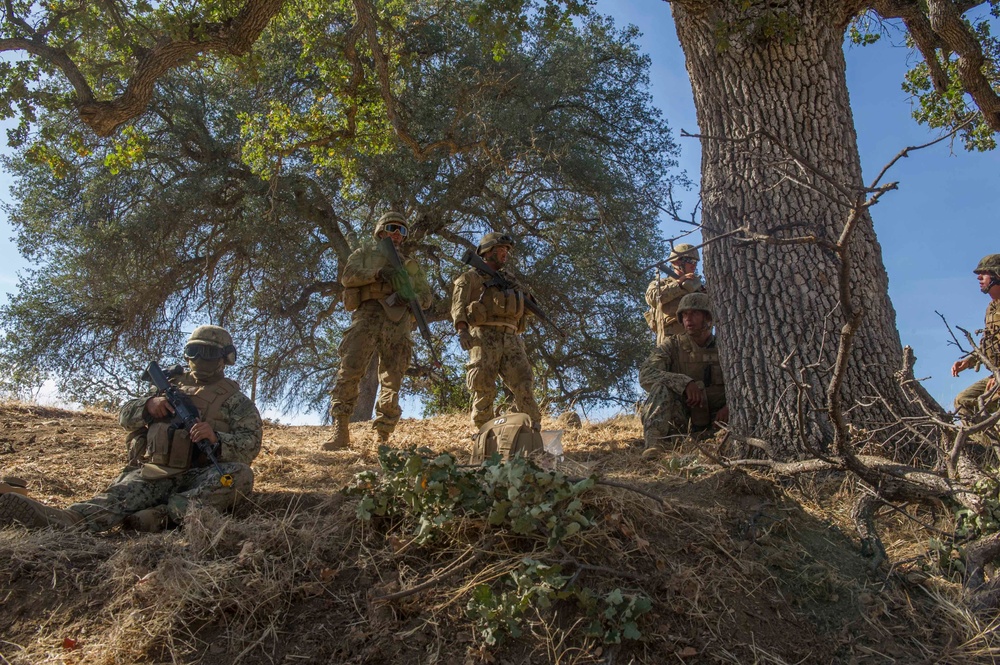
<point>489,322</point>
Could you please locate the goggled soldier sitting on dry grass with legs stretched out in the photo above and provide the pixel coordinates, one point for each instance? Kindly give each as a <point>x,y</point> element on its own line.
<point>166,472</point>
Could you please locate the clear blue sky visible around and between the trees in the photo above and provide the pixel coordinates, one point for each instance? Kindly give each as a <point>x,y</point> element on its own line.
<point>933,230</point>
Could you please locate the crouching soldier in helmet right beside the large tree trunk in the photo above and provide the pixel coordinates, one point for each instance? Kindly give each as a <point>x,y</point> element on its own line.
<point>684,378</point>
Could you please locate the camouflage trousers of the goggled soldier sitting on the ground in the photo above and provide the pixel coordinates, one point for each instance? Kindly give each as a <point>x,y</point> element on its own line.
<point>132,493</point>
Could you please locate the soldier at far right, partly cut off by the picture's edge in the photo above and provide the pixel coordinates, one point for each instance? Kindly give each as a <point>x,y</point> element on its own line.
<point>967,402</point>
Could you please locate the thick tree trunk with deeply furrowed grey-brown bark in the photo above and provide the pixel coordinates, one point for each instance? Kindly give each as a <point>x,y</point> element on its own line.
<point>776,302</point>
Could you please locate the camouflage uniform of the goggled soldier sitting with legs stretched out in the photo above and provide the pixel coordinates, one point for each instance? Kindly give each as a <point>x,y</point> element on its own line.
<point>237,425</point>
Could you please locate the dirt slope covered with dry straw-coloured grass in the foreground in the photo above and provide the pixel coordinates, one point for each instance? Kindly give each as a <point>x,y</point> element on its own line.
<point>738,570</point>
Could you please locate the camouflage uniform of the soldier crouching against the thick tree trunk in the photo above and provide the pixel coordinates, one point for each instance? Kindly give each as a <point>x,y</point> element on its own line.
<point>665,376</point>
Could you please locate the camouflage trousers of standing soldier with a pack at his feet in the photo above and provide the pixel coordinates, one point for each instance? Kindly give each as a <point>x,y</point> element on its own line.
<point>497,352</point>
